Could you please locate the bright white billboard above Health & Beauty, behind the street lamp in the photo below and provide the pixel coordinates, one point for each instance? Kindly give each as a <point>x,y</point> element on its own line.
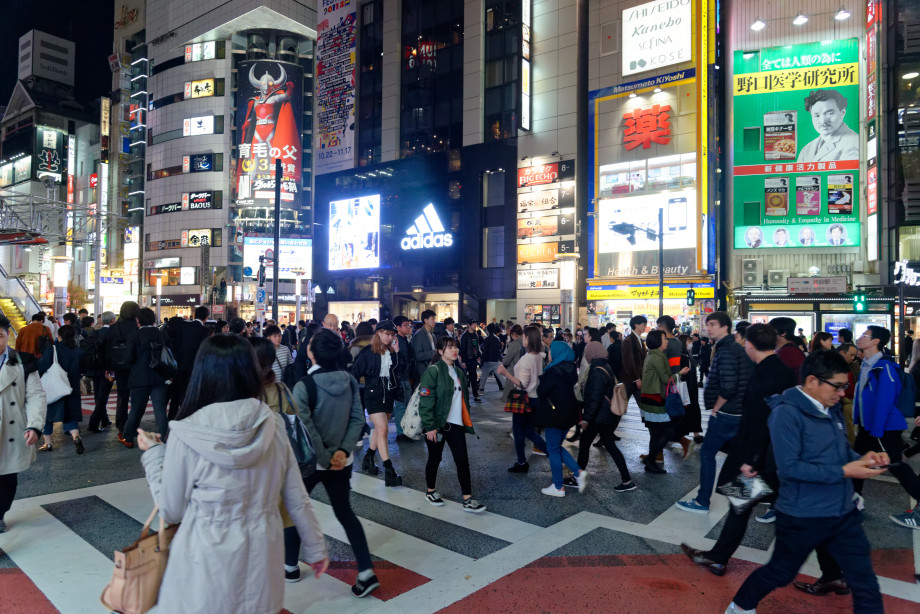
<point>625,248</point>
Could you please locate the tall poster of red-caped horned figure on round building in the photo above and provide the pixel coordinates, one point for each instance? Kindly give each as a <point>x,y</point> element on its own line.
<point>269,118</point>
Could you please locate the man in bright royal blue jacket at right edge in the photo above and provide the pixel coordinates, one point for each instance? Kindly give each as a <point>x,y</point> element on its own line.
<point>879,421</point>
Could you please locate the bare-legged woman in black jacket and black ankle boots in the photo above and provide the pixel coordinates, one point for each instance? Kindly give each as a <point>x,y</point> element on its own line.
<point>375,365</point>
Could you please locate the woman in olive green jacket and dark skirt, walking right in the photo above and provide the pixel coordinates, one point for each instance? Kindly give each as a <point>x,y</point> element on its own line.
<point>654,387</point>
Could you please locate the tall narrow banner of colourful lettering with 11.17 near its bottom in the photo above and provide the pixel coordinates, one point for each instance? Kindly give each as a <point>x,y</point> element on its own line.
<point>335,86</point>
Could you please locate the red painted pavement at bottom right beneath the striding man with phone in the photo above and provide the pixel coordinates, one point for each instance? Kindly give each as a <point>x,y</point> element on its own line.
<point>640,584</point>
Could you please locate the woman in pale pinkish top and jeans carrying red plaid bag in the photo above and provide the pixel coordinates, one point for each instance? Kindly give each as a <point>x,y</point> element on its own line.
<point>526,377</point>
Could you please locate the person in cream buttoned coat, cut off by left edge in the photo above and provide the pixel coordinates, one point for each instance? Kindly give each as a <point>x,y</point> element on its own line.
<point>22,415</point>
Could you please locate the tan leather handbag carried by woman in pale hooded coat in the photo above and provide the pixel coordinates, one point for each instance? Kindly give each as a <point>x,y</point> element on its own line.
<point>139,568</point>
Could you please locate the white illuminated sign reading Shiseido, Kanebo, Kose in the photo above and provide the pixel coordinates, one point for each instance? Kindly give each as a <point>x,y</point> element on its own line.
<point>657,34</point>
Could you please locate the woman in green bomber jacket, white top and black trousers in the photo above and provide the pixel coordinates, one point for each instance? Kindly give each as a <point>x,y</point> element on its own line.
<point>444,400</point>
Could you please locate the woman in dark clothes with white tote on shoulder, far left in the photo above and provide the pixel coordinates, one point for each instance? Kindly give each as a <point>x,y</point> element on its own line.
<point>67,409</point>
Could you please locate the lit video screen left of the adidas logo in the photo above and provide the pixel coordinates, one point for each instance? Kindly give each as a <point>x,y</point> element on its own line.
<point>354,233</point>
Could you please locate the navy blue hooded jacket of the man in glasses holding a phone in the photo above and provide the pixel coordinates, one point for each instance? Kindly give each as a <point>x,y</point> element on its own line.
<point>810,451</point>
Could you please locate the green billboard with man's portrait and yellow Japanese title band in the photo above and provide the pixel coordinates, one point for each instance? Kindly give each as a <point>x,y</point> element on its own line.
<point>797,112</point>
